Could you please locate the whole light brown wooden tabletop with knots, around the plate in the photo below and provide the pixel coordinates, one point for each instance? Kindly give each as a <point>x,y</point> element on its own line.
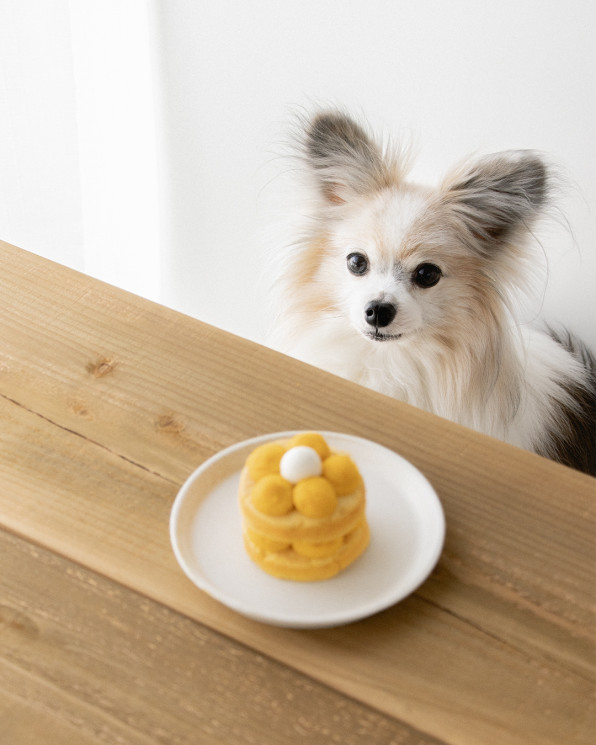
<point>108,402</point>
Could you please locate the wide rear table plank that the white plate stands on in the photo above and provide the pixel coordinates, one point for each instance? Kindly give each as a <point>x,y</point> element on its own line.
<point>108,402</point>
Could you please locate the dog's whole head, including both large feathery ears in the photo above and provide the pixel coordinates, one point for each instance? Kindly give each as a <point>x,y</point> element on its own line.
<point>399,261</point>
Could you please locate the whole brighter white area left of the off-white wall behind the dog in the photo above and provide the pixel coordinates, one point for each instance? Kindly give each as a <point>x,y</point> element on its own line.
<point>78,167</point>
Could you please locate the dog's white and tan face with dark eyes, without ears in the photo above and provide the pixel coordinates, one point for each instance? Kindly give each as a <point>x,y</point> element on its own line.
<point>389,282</point>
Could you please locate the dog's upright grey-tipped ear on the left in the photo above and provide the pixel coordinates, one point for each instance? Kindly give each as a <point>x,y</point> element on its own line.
<point>345,160</point>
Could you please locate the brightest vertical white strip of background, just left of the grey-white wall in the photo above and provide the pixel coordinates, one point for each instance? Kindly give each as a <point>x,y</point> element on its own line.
<point>117,149</point>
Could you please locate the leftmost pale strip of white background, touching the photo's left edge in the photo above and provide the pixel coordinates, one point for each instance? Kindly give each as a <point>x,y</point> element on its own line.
<point>40,201</point>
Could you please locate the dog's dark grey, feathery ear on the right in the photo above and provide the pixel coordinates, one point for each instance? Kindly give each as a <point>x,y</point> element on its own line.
<point>499,195</point>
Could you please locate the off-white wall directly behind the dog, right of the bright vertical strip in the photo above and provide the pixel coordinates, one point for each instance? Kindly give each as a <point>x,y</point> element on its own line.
<point>456,75</point>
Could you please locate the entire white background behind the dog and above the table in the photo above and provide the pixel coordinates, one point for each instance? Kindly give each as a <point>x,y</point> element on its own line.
<point>140,139</point>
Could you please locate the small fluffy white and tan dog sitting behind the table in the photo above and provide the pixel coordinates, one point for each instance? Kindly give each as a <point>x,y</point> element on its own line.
<point>409,290</point>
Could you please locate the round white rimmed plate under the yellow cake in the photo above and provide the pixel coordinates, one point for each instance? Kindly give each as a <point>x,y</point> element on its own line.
<point>407,531</point>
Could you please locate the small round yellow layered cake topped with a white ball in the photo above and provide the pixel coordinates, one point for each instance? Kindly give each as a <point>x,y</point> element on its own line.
<point>303,508</point>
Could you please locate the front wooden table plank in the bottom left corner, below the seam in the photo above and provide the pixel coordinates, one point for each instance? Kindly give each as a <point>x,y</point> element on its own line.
<point>100,664</point>
